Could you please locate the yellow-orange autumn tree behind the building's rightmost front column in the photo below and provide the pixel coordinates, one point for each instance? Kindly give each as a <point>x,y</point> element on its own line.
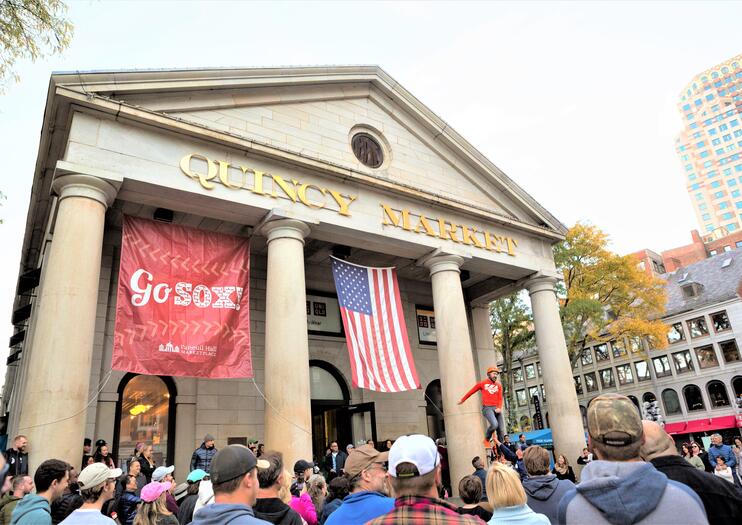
<point>605,296</point>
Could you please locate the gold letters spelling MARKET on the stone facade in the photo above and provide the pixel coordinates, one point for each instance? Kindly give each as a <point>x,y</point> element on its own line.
<point>448,230</point>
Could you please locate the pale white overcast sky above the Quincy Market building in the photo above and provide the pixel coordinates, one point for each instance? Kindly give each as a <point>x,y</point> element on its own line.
<point>574,101</point>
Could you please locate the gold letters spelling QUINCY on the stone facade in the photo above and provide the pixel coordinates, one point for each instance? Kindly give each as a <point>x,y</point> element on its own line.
<point>308,194</point>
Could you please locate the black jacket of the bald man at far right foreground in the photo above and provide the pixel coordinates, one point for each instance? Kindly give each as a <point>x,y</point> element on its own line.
<point>723,502</point>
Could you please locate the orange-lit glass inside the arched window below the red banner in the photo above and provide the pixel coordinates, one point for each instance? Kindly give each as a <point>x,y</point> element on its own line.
<point>144,416</point>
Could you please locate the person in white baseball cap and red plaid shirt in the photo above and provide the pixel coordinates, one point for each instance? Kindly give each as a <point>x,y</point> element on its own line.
<point>415,474</point>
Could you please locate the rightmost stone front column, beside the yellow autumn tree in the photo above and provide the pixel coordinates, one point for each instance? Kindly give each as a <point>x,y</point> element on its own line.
<point>564,410</point>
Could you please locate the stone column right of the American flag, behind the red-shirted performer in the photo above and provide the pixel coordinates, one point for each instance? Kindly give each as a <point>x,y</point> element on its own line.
<point>464,430</point>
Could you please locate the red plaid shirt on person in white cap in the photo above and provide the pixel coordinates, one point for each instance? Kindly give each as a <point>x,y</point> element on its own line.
<point>419,510</point>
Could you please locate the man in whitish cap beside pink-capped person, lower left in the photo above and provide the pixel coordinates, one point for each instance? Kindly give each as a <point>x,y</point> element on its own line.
<point>97,484</point>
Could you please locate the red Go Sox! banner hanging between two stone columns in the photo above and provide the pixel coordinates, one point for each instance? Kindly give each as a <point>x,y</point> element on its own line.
<point>183,304</point>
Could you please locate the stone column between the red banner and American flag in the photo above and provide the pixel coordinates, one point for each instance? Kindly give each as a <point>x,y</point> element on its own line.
<point>288,411</point>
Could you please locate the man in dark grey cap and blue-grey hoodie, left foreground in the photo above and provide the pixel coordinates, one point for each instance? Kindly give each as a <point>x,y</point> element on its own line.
<point>234,478</point>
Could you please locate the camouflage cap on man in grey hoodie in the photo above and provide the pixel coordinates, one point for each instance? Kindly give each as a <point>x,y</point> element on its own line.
<point>612,419</point>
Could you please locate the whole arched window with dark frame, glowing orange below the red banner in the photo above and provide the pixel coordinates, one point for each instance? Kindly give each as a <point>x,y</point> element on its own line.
<point>146,412</point>
